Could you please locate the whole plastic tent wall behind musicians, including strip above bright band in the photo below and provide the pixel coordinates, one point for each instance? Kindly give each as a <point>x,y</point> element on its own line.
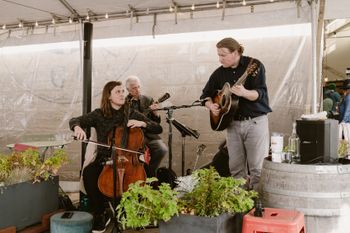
<point>41,84</point>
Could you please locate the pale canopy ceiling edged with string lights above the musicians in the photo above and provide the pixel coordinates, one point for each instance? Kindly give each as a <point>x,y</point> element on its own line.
<point>28,12</point>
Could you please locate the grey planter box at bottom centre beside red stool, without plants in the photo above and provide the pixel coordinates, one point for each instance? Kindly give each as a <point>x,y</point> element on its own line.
<point>224,223</point>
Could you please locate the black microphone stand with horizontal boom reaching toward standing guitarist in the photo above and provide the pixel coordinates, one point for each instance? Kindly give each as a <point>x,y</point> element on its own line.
<point>169,117</point>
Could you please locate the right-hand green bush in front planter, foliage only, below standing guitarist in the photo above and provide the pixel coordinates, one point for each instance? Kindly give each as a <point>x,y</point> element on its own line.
<point>214,195</point>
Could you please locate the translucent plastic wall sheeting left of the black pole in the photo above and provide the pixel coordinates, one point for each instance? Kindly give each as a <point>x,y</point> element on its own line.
<point>40,88</point>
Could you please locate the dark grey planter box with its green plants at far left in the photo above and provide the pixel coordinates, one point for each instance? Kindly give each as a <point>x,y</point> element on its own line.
<point>27,182</point>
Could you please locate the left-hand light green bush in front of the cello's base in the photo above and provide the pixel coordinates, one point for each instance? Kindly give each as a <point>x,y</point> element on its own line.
<point>142,205</point>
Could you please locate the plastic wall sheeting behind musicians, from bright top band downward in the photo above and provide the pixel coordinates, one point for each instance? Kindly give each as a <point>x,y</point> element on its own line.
<point>41,89</point>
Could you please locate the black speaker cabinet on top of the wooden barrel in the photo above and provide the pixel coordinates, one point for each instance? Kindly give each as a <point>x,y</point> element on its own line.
<point>318,140</point>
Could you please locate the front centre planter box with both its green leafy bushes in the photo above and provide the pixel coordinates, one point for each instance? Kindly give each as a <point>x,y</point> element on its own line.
<point>215,204</point>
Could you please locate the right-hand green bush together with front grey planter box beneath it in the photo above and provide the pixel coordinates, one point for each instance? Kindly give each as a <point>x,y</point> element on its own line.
<point>215,204</point>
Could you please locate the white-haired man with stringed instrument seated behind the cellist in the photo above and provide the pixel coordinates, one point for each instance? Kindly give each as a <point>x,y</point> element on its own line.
<point>147,105</point>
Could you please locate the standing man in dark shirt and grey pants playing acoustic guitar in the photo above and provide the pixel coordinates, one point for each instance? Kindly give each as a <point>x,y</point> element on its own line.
<point>237,98</point>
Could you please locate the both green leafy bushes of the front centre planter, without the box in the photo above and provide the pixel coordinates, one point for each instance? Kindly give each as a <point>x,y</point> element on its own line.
<point>211,196</point>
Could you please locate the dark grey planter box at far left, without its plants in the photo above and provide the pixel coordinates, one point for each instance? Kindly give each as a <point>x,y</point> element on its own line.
<point>25,203</point>
